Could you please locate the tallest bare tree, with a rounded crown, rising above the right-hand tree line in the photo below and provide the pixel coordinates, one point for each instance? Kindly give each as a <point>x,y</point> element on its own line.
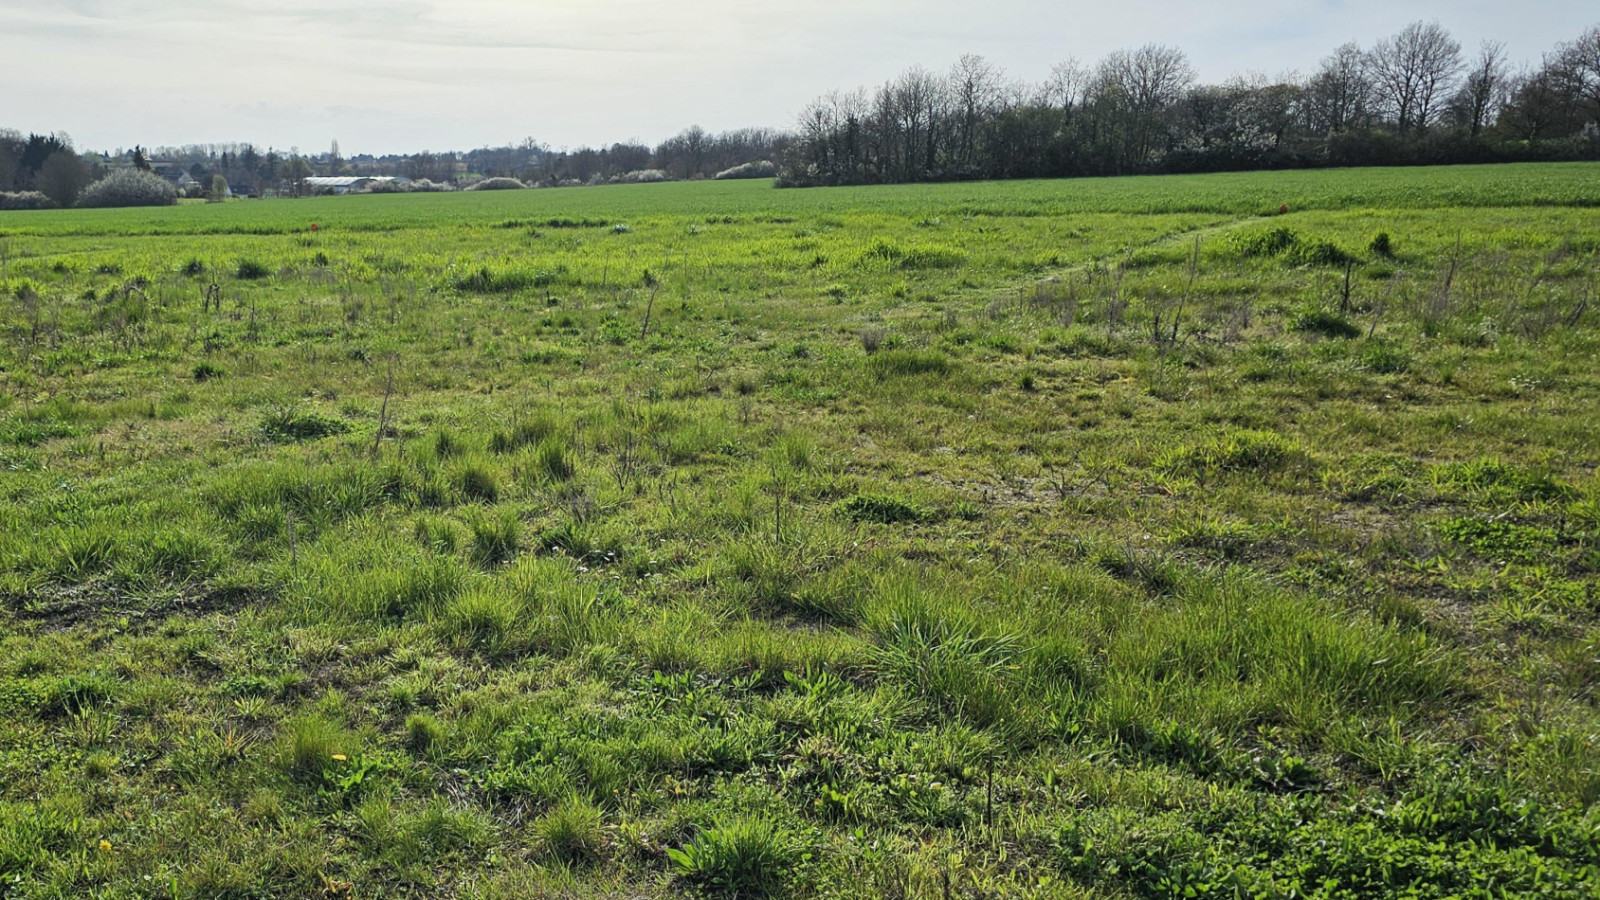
<point>1414,73</point>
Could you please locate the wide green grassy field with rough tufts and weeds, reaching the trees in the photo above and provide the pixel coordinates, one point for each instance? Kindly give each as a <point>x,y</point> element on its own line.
<point>1086,539</point>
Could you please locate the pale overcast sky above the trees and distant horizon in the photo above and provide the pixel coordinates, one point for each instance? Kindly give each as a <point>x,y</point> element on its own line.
<point>398,76</point>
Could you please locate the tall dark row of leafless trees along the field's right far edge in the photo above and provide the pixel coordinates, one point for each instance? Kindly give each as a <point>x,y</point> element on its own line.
<point>1410,98</point>
